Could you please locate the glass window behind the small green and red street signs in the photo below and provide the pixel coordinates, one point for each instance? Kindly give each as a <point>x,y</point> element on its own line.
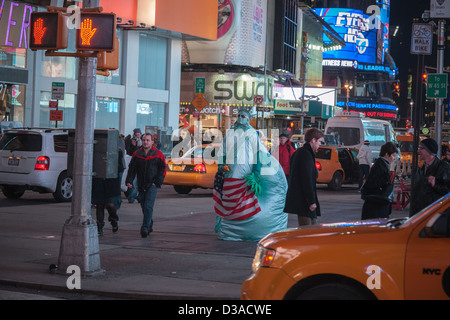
<point>67,106</point>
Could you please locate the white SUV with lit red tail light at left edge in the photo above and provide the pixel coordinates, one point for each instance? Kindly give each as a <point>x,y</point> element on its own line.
<point>35,159</point>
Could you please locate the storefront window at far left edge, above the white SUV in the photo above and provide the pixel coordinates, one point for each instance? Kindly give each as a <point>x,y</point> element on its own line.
<point>12,102</point>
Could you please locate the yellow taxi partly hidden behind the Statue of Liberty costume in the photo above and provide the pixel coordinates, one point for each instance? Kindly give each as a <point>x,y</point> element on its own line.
<point>195,169</point>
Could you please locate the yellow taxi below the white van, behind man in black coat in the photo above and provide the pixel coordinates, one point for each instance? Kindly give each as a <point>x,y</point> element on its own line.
<point>337,165</point>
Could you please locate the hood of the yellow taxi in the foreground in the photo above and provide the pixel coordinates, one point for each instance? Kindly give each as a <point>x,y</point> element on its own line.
<point>331,229</point>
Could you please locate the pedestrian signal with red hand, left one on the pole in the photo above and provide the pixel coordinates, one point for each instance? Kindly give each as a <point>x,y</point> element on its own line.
<point>48,30</point>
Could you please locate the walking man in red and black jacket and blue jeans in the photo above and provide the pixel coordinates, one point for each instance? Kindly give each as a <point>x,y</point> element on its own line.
<point>149,166</point>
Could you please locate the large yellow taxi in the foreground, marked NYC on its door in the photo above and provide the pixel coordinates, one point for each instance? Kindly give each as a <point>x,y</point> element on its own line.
<point>402,258</point>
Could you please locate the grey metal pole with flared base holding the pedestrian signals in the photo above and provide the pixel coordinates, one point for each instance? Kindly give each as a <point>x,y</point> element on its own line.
<point>79,242</point>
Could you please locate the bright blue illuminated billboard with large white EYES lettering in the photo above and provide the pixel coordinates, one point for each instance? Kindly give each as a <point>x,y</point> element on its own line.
<point>355,28</point>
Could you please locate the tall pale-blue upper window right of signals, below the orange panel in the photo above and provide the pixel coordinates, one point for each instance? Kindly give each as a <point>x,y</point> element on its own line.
<point>152,62</point>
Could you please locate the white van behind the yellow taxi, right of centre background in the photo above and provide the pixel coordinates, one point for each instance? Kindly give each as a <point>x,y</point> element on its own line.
<point>350,129</point>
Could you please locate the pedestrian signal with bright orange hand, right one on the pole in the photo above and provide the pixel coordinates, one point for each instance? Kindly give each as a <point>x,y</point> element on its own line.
<point>97,32</point>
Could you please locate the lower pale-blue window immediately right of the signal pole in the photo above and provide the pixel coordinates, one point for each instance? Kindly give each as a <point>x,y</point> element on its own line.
<point>107,113</point>
